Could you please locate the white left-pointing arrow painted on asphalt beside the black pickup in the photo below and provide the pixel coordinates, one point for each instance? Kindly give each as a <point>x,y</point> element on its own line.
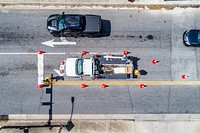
<point>51,43</point>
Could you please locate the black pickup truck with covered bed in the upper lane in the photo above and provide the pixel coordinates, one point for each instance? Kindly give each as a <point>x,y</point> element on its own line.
<point>74,25</point>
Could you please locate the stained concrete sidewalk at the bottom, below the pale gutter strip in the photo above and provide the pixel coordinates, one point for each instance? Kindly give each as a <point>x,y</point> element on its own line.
<point>106,126</point>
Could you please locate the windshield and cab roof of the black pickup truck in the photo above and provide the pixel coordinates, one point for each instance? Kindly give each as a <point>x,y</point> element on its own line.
<point>70,22</point>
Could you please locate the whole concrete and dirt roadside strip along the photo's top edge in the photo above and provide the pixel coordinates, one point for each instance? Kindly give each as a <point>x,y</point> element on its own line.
<point>97,4</point>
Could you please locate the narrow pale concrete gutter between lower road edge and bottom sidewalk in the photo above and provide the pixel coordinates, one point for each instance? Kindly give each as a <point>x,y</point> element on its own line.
<point>129,117</point>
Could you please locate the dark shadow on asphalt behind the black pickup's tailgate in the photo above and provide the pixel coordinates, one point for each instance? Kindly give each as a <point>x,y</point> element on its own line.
<point>106,28</point>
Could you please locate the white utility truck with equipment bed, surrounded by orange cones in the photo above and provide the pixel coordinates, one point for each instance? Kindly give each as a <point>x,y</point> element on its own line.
<point>98,66</point>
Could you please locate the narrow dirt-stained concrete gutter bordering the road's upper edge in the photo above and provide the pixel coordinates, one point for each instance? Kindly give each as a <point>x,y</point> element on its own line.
<point>66,5</point>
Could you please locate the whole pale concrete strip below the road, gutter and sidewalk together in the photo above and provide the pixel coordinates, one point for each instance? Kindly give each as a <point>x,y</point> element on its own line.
<point>101,123</point>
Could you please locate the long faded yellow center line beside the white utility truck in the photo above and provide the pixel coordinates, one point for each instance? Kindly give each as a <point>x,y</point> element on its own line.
<point>121,82</point>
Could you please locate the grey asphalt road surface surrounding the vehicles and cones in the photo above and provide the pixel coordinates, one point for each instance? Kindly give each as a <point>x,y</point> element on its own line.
<point>146,34</point>
